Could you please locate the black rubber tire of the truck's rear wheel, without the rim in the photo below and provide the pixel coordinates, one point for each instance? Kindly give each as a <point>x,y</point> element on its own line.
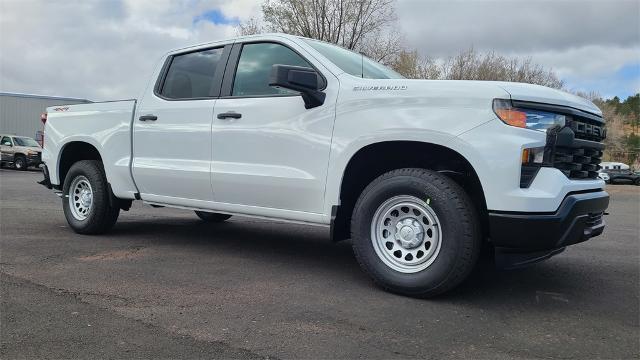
<point>102,215</point>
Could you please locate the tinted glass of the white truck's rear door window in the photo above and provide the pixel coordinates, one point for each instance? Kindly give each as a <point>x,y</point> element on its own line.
<point>191,75</point>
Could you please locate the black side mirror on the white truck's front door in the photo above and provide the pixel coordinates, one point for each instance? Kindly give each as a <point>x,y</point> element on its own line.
<point>297,78</point>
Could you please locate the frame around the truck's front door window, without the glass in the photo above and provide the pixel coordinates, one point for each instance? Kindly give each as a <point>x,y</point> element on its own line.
<point>232,65</point>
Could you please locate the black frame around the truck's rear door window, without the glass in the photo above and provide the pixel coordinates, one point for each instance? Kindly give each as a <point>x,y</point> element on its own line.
<point>214,93</point>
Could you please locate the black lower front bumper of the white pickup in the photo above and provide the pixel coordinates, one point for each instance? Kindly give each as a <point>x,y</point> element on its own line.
<point>524,238</point>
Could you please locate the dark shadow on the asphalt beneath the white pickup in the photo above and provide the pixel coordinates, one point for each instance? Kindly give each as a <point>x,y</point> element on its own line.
<point>301,249</point>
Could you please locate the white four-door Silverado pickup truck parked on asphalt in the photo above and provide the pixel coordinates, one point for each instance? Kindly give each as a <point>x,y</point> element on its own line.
<point>420,174</point>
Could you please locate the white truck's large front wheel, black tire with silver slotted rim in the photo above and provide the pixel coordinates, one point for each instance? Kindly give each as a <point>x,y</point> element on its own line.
<point>415,232</point>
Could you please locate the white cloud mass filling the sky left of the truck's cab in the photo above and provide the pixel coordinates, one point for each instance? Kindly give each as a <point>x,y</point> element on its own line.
<point>96,49</point>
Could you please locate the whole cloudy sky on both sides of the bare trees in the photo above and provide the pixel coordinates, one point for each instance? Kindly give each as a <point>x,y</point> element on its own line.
<point>106,49</point>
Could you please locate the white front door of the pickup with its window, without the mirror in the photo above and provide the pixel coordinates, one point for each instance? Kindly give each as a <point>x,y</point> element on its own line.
<point>268,150</point>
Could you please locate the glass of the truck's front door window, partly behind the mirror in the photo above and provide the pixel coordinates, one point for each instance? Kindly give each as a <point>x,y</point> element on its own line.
<point>254,68</point>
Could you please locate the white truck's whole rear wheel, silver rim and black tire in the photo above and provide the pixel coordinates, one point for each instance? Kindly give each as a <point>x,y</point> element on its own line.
<point>87,202</point>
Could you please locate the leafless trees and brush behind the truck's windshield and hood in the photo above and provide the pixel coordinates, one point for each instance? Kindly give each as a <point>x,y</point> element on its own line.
<point>369,26</point>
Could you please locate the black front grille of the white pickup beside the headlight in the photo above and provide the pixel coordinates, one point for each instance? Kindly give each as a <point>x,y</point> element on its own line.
<point>578,149</point>
